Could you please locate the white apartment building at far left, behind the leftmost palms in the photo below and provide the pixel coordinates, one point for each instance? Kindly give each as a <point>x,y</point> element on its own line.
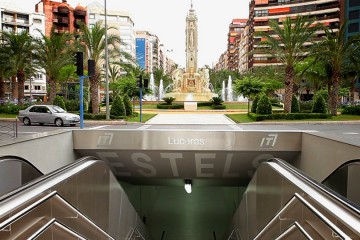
<point>17,21</point>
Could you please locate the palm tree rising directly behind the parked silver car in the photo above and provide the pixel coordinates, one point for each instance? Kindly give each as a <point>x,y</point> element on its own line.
<point>53,54</point>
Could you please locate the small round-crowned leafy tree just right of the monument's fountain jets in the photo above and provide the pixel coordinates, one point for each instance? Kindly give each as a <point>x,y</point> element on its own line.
<point>248,87</point>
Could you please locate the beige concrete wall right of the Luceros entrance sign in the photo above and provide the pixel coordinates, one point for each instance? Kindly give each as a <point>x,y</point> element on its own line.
<point>321,155</point>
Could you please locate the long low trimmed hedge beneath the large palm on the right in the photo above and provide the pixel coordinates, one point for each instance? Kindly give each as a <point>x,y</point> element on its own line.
<point>288,116</point>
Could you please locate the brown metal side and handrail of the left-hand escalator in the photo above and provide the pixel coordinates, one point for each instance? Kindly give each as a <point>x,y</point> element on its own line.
<point>61,206</point>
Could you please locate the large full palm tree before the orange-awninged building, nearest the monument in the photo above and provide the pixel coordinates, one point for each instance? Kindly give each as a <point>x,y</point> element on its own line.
<point>287,42</point>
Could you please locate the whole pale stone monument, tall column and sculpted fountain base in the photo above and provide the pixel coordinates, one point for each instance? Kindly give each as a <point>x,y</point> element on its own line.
<point>191,84</point>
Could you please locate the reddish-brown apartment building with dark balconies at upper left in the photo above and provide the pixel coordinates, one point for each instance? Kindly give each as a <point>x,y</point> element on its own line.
<point>61,16</point>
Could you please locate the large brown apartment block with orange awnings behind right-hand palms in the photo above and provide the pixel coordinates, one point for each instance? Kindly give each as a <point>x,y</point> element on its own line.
<point>326,12</point>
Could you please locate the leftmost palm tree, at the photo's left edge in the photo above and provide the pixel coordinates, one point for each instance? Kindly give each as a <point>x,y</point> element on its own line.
<point>19,50</point>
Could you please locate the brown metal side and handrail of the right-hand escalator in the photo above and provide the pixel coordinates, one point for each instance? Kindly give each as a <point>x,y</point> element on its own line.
<point>282,203</point>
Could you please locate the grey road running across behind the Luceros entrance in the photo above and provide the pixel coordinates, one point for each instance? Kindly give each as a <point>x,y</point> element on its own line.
<point>345,130</point>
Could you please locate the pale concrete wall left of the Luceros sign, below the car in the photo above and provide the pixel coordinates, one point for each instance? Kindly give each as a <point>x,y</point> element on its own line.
<point>47,151</point>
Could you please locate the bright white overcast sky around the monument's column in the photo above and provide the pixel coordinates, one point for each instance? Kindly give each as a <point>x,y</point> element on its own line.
<point>167,18</point>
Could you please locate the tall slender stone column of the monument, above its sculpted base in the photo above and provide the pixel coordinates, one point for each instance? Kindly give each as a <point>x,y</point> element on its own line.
<point>191,33</point>
